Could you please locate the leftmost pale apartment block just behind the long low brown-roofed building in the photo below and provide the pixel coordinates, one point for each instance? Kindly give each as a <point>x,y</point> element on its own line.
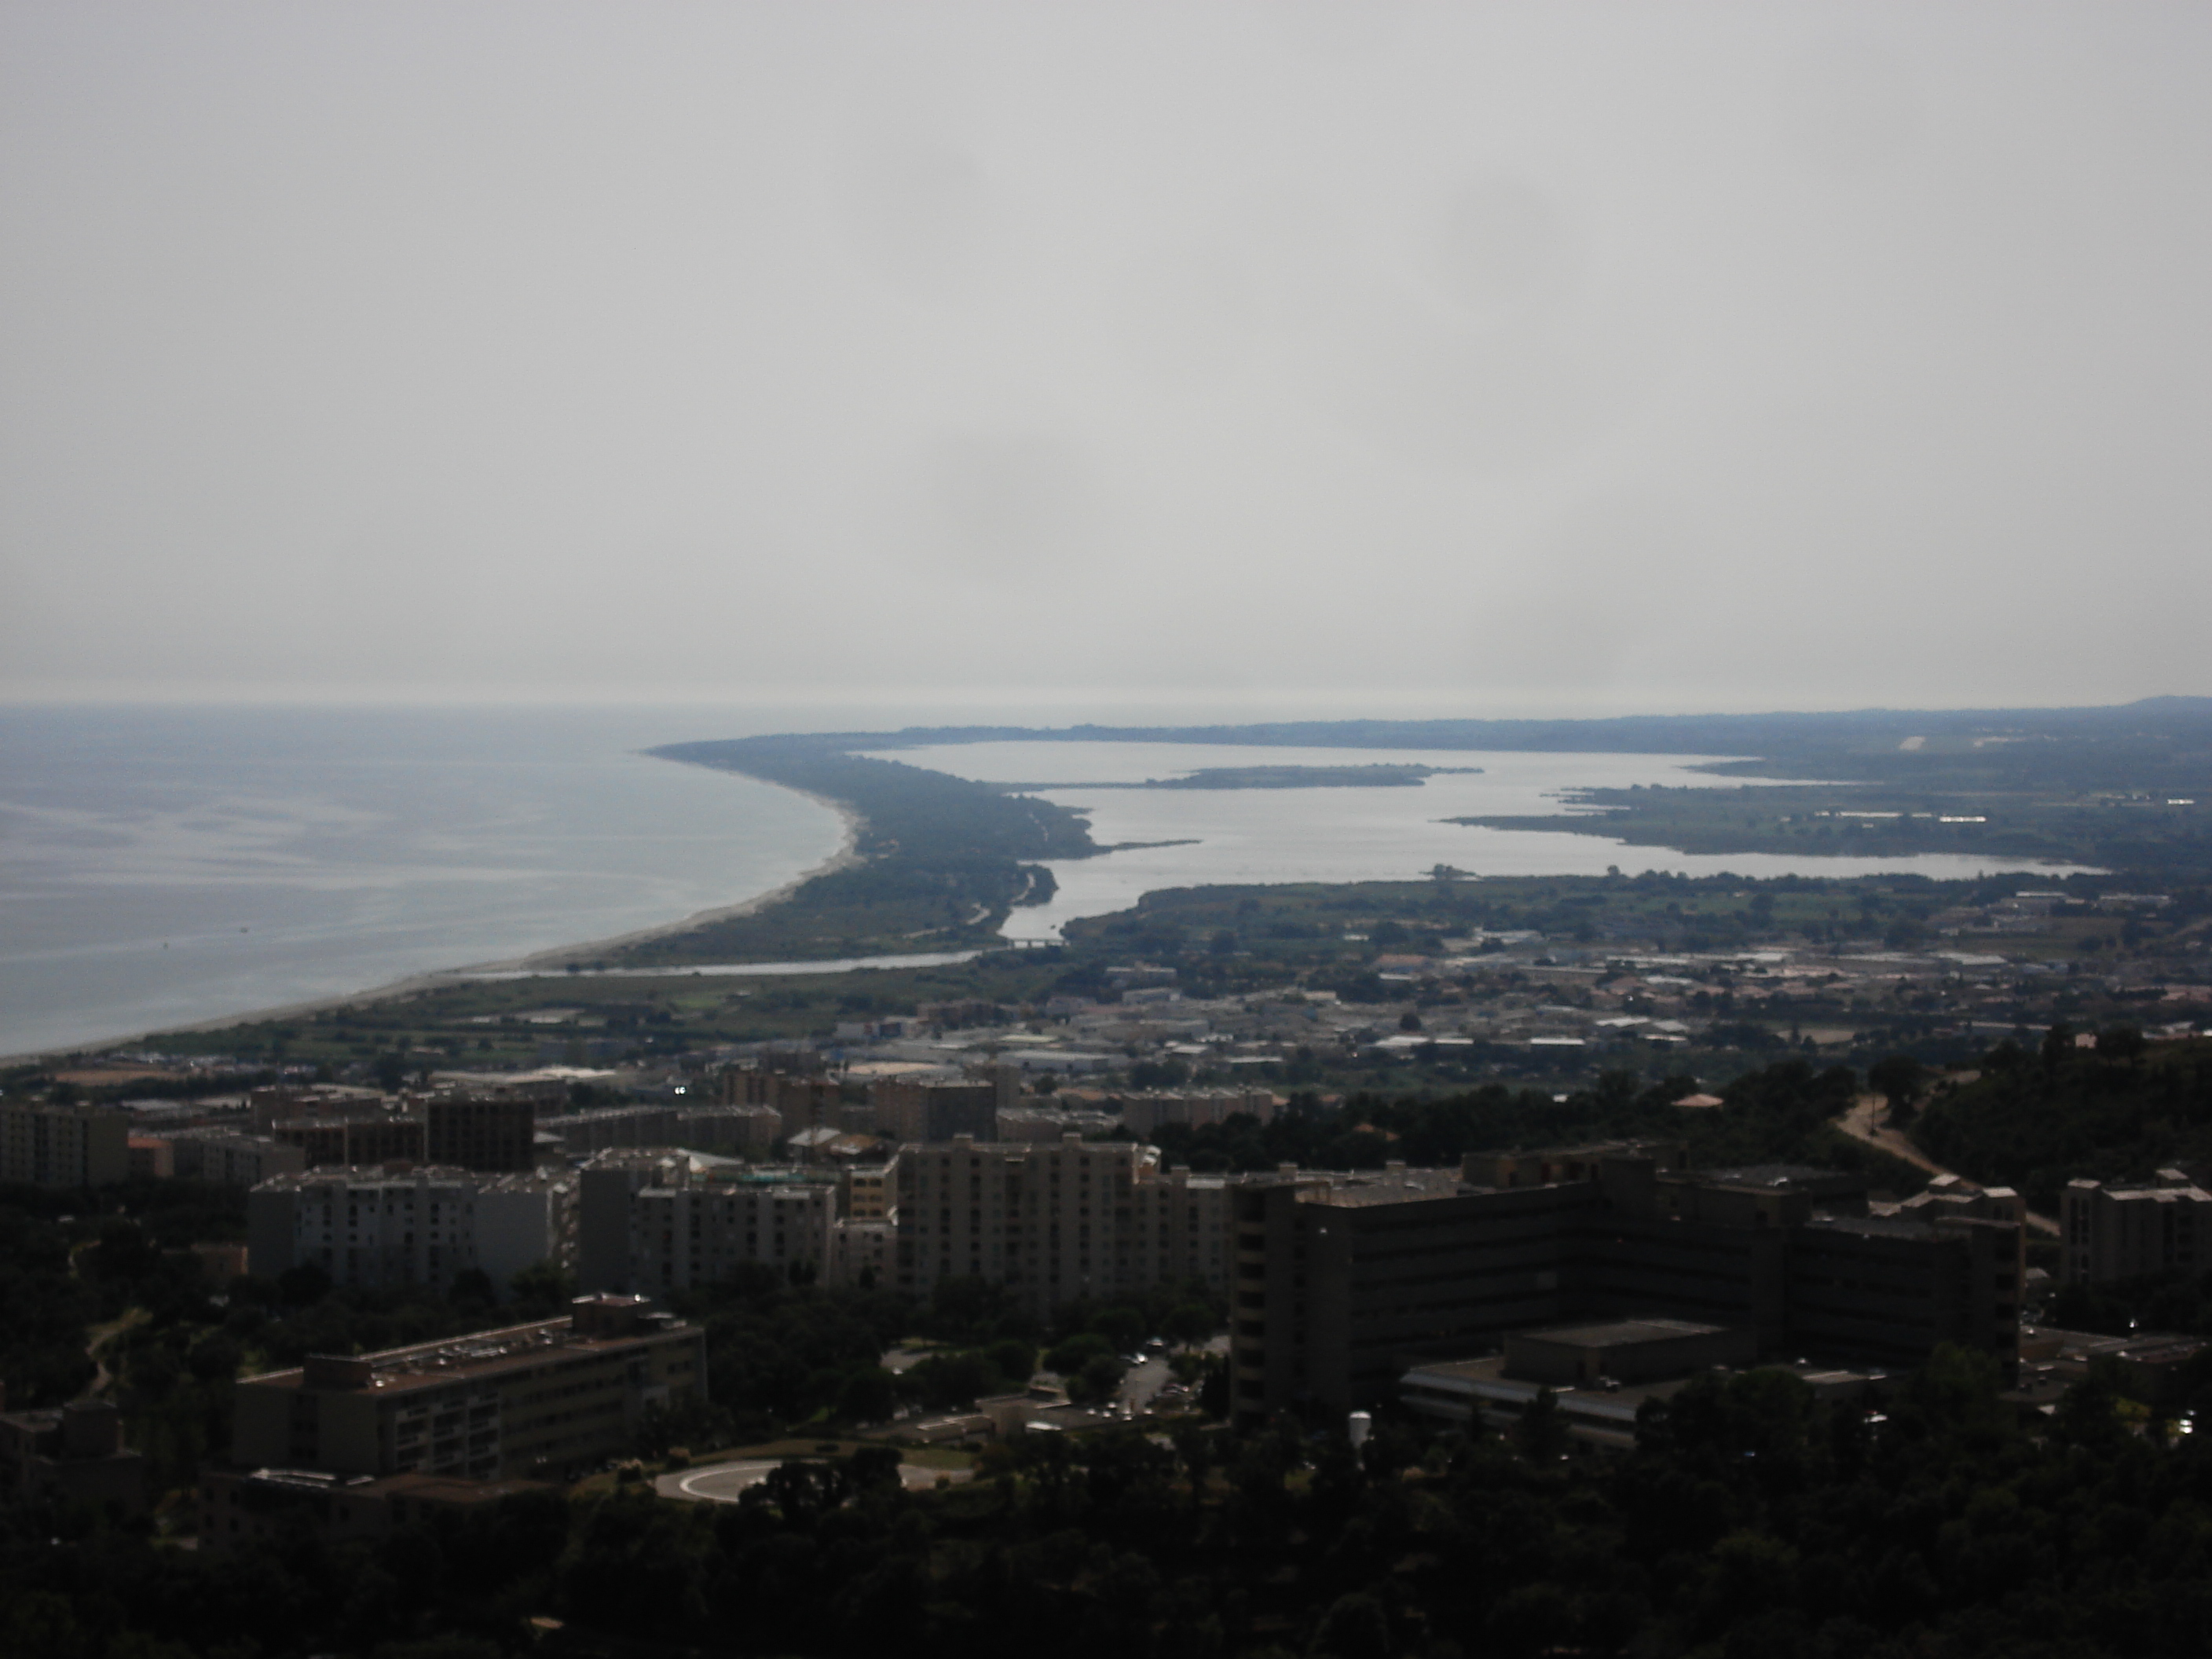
<point>408,1227</point>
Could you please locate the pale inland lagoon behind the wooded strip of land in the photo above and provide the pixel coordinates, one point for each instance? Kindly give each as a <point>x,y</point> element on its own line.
<point>1353,835</point>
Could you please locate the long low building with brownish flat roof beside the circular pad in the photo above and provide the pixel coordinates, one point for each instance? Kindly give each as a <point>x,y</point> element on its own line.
<point>532,1401</point>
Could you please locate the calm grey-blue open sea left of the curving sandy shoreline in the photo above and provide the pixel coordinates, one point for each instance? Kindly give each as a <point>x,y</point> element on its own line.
<point>174,866</point>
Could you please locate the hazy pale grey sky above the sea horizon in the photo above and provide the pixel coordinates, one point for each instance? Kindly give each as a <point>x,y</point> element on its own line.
<point>1381,357</point>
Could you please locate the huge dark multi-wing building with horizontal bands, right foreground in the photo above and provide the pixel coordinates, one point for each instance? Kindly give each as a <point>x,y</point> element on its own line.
<point>1346,1282</point>
